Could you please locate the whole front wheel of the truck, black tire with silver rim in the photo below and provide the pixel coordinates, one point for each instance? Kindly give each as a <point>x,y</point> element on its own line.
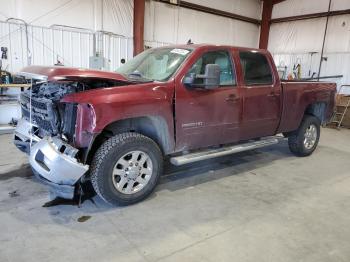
<point>126,168</point>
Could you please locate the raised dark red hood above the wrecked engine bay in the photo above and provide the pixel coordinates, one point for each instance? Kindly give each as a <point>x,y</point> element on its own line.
<point>56,73</point>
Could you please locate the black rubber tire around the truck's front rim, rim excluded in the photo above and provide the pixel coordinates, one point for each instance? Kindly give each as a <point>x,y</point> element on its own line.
<point>106,158</point>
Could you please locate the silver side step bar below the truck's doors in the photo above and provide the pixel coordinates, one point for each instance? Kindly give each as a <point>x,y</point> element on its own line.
<point>223,151</point>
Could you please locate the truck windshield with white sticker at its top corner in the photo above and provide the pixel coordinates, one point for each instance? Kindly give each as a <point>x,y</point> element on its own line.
<point>154,64</point>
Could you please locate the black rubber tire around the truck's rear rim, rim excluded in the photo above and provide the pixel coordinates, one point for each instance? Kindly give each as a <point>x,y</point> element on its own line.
<point>296,138</point>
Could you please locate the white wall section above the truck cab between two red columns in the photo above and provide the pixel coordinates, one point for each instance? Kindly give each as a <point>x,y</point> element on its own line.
<point>172,24</point>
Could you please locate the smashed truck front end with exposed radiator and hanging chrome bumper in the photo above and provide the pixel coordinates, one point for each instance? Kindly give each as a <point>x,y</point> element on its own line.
<point>46,132</point>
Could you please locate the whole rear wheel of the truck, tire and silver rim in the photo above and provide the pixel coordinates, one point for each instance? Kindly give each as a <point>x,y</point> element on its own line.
<point>303,141</point>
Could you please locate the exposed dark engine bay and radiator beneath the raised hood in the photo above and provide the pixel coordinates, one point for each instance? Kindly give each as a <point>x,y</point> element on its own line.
<point>41,105</point>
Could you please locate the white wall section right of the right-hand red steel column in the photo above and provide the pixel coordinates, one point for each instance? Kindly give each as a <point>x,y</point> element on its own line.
<point>295,42</point>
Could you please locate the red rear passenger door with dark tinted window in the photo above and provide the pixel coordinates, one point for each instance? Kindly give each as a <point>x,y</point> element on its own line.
<point>261,95</point>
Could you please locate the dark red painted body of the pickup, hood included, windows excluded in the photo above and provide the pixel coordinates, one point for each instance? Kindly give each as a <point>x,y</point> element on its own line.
<point>199,118</point>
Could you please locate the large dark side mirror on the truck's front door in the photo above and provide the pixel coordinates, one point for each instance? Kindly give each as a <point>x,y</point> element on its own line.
<point>211,78</point>
